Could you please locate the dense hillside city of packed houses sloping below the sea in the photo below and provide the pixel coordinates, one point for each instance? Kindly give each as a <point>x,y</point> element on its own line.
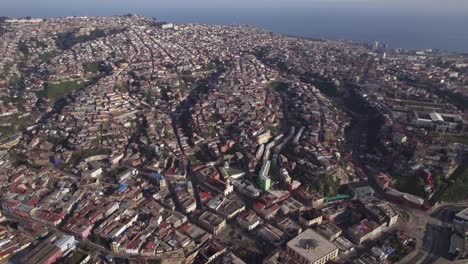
<point>126,139</point>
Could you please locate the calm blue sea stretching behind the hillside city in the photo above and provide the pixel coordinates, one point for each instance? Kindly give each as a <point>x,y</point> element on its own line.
<point>400,28</point>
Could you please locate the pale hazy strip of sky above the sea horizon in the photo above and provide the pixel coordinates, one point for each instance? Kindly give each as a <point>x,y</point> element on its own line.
<point>106,7</point>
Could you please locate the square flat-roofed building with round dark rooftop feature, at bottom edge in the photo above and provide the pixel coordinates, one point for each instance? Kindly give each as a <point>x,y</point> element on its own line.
<point>311,248</point>
